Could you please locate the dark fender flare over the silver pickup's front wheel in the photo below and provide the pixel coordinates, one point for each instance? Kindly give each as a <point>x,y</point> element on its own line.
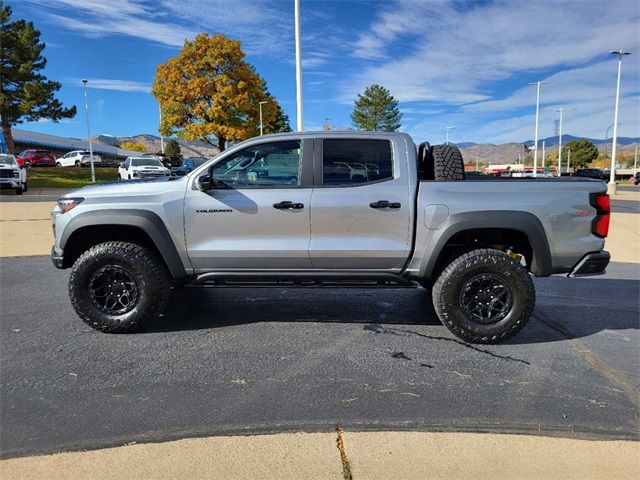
<point>148,222</point>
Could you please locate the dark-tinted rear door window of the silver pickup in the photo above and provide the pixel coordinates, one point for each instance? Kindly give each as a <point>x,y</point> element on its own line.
<point>355,161</point>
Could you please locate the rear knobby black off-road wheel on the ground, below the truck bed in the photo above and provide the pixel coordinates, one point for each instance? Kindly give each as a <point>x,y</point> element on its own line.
<point>484,296</point>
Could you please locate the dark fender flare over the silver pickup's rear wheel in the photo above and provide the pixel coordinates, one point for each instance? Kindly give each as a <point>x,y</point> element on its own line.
<point>524,222</point>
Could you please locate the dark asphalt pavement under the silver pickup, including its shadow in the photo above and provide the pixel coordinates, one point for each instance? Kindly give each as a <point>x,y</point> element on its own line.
<point>237,360</point>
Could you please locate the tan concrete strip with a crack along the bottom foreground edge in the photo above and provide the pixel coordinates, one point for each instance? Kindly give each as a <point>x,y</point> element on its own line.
<point>365,455</point>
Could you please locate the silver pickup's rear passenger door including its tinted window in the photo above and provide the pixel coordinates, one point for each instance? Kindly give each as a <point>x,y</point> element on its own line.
<point>361,205</point>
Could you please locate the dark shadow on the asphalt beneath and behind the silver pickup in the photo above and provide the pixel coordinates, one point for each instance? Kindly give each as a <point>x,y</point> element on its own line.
<point>565,309</point>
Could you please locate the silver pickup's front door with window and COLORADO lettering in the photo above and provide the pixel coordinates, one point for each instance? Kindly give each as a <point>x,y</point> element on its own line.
<point>256,215</point>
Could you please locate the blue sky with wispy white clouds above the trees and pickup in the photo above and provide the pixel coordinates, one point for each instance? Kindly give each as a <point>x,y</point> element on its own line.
<point>462,63</point>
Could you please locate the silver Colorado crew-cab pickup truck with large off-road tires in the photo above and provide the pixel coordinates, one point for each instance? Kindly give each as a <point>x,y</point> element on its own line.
<point>331,208</point>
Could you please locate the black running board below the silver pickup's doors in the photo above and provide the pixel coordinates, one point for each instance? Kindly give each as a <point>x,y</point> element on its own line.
<point>303,279</point>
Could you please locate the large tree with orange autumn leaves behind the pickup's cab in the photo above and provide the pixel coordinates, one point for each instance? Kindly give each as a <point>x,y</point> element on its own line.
<point>210,93</point>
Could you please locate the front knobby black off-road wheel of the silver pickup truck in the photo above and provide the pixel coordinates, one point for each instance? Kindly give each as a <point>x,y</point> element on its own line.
<point>117,286</point>
